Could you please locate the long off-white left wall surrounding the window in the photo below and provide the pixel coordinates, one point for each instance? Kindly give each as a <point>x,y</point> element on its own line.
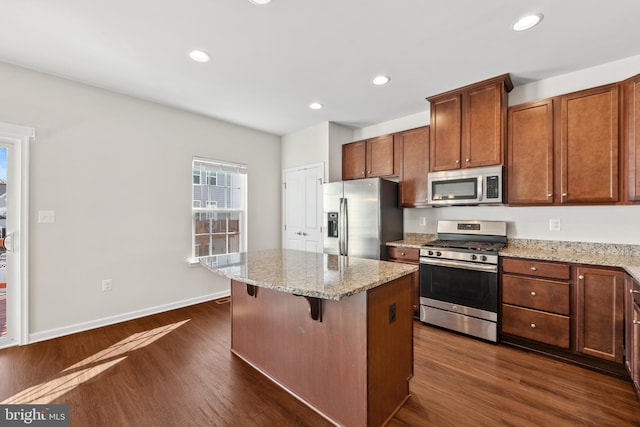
<point>117,172</point>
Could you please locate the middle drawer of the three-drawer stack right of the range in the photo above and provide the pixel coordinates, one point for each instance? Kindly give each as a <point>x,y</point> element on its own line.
<point>534,293</point>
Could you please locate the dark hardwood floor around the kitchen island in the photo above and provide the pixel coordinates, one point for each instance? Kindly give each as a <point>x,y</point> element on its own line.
<point>175,369</point>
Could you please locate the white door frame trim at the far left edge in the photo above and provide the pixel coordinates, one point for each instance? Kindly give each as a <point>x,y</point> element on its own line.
<point>18,138</point>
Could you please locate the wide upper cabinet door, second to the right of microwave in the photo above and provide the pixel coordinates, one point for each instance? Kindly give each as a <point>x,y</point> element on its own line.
<point>589,145</point>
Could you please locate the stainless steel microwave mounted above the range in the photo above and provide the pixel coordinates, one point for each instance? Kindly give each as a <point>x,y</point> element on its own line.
<point>473,186</point>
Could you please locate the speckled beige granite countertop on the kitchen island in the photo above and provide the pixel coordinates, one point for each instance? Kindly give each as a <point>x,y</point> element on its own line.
<point>309,274</point>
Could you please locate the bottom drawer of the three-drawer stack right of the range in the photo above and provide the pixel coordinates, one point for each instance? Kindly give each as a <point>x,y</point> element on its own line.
<point>536,325</point>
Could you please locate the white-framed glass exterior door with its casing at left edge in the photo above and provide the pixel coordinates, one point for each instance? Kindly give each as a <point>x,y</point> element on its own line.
<point>14,161</point>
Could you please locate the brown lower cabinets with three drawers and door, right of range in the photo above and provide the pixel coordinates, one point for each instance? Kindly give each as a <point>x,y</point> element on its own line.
<point>573,311</point>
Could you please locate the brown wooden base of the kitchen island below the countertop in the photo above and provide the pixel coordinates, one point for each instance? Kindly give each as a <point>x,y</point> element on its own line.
<point>352,367</point>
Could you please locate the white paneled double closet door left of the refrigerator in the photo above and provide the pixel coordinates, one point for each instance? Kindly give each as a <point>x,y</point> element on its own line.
<point>303,208</point>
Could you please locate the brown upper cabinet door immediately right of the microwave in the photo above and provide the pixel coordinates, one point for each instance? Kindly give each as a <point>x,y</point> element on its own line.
<point>530,154</point>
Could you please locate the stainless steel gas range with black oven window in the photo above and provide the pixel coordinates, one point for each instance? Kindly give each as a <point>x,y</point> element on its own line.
<point>459,277</point>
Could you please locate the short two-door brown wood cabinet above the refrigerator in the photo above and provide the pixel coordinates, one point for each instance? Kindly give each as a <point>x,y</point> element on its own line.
<point>368,158</point>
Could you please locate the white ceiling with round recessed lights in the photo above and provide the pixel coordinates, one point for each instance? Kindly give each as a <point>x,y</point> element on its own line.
<point>269,62</point>
